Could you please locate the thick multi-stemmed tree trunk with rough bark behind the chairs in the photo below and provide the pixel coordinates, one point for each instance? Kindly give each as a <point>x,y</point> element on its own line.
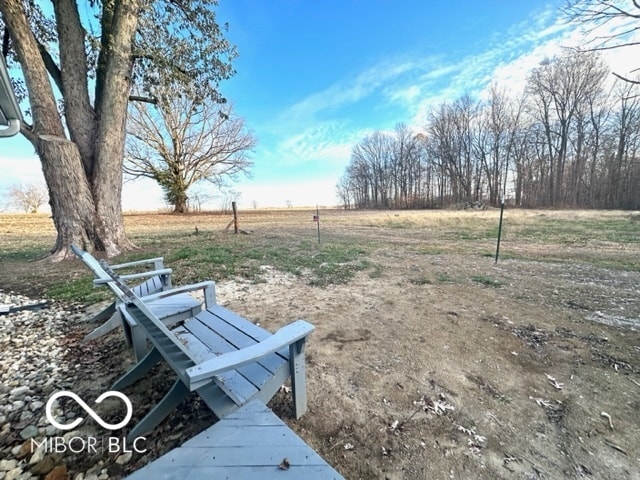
<point>84,174</point>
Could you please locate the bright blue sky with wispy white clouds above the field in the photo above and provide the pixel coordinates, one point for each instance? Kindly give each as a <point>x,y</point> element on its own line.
<point>315,77</point>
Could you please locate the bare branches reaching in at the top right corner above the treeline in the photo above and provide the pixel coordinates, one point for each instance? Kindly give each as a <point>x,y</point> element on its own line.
<point>596,15</point>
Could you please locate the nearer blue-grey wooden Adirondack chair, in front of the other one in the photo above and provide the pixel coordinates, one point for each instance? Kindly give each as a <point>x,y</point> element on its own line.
<point>226,359</point>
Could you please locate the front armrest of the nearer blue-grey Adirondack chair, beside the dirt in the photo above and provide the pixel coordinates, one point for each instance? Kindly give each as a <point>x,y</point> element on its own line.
<point>288,335</point>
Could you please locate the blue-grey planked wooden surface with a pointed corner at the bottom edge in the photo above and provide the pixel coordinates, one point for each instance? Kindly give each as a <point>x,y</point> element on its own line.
<point>250,443</point>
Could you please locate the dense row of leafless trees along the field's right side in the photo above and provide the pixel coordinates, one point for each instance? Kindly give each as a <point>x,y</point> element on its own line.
<point>568,140</point>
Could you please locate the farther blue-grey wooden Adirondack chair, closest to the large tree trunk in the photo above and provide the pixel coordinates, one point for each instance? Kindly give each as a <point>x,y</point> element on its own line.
<point>169,308</point>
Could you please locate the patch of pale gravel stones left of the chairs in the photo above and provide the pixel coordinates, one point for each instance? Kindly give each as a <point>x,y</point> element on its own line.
<point>43,353</point>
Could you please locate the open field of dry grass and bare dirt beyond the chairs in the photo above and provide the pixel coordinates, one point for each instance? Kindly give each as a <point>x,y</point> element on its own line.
<point>429,360</point>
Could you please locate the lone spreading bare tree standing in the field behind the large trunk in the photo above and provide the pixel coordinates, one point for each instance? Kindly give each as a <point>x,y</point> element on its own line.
<point>182,141</point>
